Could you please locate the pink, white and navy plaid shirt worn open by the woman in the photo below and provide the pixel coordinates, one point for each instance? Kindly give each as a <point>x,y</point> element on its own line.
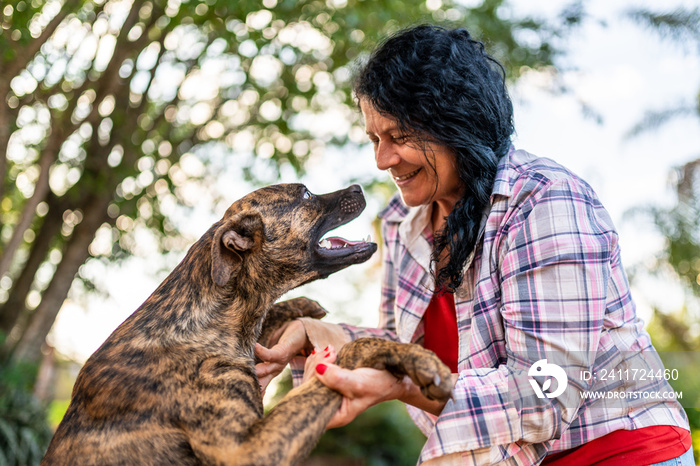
<point>545,280</point>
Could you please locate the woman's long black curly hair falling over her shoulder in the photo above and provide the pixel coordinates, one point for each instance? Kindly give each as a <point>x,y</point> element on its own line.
<point>440,85</point>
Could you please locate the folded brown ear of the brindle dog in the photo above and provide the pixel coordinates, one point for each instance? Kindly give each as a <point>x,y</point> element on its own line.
<point>235,236</point>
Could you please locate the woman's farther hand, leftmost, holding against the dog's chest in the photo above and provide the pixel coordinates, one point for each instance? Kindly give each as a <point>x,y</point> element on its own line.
<point>291,342</point>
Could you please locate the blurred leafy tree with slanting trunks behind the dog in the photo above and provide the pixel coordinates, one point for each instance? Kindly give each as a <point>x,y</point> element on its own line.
<point>111,109</point>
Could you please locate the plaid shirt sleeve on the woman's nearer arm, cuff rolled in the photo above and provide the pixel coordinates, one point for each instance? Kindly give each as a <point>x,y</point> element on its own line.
<point>552,277</point>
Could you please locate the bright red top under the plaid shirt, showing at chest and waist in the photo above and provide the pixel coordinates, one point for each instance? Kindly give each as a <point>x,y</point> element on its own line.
<point>647,445</point>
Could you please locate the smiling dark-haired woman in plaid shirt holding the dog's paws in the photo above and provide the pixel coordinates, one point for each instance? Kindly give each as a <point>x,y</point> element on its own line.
<point>502,263</point>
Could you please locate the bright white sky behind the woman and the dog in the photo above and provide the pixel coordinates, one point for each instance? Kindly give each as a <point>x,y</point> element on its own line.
<point>618,69</point>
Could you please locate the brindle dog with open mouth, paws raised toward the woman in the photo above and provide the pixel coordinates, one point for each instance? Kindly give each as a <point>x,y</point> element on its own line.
<point>176,382</point>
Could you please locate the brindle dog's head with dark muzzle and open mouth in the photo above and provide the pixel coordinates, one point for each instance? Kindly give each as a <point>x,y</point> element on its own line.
<point>275,234</point>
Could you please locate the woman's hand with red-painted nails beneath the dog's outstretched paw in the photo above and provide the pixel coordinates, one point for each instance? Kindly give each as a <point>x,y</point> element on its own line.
<point>364,387</point>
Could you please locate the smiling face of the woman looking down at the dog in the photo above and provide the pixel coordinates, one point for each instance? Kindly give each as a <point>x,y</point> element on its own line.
<point>411,163</point>
